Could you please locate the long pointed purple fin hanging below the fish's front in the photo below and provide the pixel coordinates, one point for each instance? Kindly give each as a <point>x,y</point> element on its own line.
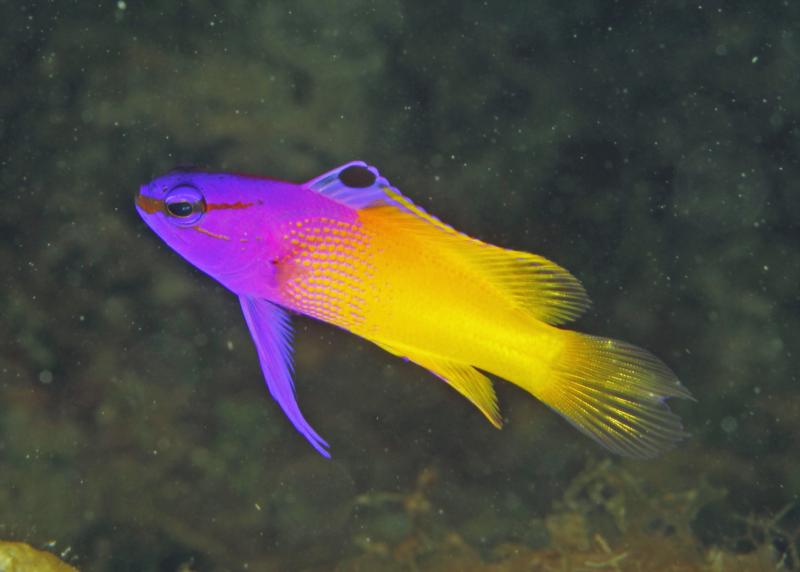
<point>272,333</point>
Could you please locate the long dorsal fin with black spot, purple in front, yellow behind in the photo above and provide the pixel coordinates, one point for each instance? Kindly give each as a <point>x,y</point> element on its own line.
<point>546,290</point>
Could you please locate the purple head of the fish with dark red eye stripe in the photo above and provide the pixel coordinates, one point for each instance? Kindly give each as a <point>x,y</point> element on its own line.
<point>225,225</point>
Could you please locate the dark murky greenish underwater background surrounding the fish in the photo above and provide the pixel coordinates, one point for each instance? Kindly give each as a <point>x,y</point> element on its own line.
<point>649,147</point>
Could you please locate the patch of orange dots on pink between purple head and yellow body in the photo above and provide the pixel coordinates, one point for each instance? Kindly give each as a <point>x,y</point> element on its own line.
<point>329,267</point>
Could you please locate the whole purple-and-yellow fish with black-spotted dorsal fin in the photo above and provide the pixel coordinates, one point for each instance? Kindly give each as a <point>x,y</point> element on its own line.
<point>349,249</point>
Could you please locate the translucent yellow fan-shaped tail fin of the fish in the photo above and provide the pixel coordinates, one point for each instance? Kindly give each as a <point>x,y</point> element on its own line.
<point>615,393</point>
